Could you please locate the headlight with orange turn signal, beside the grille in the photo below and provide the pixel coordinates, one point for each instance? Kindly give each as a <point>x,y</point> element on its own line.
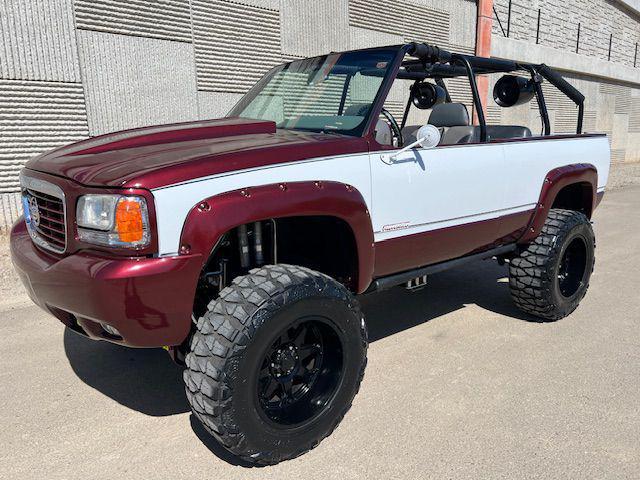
<point>113,220</point>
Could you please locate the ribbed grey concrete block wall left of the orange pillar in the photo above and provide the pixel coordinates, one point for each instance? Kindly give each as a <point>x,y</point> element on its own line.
<point>70,69</point>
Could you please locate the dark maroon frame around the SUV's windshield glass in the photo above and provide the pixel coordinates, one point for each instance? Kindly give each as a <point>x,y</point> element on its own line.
<point>363,129</point>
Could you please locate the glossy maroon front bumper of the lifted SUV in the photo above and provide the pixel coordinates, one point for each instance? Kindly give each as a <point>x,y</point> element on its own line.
<point>148,300</point>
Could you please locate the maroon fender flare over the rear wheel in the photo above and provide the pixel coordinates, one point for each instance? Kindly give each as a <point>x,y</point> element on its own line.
<point>555,181</point>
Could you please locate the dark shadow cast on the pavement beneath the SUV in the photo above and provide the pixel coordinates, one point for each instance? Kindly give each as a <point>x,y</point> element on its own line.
<point>146,380</point>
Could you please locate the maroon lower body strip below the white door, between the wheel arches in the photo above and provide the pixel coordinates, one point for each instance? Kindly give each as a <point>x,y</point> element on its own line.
<point>421,249</point>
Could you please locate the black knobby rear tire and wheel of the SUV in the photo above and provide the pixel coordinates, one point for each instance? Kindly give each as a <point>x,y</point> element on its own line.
<point>537,286</point>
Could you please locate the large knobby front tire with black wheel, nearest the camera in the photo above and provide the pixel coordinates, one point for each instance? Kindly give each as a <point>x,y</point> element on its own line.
<point>276,362</point>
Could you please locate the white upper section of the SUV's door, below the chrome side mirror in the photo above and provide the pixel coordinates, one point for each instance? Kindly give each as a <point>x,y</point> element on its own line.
<point>425,190</point>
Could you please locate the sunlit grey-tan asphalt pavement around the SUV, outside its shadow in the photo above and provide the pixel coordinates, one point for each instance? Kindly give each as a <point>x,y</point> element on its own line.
<point>459,385</point>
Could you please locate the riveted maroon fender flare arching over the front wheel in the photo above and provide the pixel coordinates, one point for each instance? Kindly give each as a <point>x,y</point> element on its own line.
<point>214,216</point>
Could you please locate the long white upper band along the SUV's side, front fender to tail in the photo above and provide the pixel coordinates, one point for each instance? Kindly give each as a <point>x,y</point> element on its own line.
<point>423,190</point>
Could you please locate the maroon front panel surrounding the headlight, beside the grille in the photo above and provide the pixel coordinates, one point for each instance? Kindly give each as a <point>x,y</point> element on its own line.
<point>73,191</point>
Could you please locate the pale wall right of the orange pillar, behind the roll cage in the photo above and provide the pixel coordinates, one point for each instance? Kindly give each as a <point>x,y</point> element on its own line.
<point>611,84</point>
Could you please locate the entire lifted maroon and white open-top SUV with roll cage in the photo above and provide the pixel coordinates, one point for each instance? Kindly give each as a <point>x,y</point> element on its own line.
<point>241,244</point>
